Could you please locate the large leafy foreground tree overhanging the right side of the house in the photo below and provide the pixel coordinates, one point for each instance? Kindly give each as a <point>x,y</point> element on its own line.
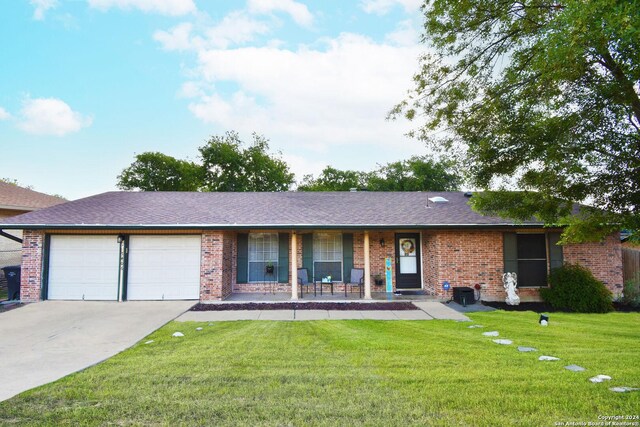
<point>541,97</point>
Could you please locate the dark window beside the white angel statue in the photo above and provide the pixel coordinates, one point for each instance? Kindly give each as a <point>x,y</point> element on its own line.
<point>532,260</point>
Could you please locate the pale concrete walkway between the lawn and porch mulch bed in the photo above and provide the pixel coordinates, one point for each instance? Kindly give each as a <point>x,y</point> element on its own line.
<point>427,311</point>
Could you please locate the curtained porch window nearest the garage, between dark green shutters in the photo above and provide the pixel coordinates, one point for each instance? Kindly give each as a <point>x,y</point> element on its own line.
<point>263,252</point>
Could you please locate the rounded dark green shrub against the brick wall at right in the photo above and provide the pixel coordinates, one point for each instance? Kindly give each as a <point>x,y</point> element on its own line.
<point>573,288</point>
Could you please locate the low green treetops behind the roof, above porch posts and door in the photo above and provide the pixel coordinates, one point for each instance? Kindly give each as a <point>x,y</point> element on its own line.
<point>414,174</point>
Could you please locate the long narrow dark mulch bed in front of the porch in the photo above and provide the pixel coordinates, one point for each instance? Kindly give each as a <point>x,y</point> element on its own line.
<point>346,306</point>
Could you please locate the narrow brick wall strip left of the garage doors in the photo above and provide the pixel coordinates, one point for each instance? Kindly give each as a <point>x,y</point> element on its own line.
<point>31,272</point>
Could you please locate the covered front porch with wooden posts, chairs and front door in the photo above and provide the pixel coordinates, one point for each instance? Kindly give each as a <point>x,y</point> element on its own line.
<point>321,264</point>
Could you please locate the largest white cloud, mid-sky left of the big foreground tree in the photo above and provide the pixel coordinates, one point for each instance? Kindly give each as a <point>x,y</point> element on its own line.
<point>315,99</point>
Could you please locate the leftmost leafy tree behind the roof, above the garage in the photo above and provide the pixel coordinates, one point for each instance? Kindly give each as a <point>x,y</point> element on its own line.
<point>153,171</point>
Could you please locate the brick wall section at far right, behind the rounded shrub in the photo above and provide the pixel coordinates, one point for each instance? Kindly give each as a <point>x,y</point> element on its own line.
<point>604,259</point>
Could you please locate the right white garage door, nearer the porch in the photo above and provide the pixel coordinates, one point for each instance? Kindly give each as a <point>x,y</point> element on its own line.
<point>164,267</point>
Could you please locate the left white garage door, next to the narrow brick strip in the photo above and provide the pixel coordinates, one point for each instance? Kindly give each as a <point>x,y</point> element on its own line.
<point>83,267</point>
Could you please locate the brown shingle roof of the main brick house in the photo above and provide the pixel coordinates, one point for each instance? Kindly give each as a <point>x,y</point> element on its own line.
<point>163,210</point>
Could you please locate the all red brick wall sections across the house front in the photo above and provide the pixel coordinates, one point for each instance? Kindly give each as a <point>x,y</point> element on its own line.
<point>463,258</point>
